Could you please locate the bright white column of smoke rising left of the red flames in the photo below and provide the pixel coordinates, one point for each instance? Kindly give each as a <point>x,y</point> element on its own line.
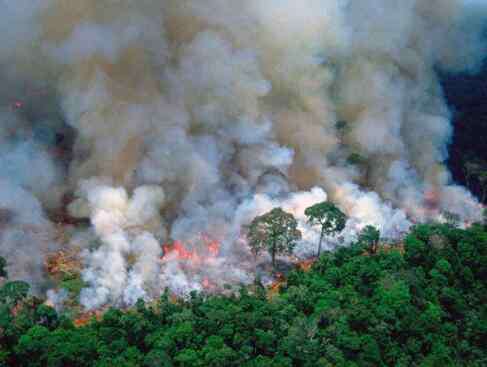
<point>125,227</point>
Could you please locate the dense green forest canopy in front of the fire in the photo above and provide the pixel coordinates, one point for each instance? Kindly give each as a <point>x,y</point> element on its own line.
<point>423,303</point>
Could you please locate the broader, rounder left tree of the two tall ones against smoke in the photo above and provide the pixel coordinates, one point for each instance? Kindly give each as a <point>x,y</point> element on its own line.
<point>275,231</point>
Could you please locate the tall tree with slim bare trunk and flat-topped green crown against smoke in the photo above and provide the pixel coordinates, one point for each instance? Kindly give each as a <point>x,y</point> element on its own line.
<point>331,219</point>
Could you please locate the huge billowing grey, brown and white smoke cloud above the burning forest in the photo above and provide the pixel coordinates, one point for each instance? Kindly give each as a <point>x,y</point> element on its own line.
<point>182,118</point>
